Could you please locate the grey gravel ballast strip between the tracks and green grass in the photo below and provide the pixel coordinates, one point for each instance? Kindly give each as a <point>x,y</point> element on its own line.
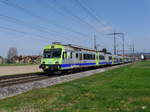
<point>20,88</point>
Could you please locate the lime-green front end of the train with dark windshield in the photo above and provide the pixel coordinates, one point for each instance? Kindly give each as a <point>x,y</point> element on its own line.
<point>52,58</point>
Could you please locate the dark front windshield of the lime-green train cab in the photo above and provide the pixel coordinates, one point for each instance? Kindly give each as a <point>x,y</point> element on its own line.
<point>52,53</point>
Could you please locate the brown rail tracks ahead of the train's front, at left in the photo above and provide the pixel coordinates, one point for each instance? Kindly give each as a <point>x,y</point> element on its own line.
<point>19,79</point>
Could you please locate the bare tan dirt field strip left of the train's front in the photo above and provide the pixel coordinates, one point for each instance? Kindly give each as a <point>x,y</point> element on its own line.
<point>10,70</point>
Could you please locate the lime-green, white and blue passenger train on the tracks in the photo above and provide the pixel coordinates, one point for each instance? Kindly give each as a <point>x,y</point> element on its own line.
<point>59,57</point>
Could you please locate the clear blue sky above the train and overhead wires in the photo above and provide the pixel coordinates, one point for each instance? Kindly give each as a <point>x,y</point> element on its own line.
<point>67,21</point>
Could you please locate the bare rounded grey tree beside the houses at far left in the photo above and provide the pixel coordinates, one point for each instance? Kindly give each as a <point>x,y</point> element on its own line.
<point>11,53</point>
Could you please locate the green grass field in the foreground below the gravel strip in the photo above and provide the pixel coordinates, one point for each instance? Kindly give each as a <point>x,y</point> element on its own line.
<point>125,89</point>
